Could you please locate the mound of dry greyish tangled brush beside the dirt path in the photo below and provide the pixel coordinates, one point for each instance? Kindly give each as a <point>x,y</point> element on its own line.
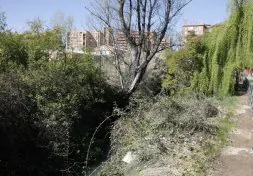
<point>178,135</point>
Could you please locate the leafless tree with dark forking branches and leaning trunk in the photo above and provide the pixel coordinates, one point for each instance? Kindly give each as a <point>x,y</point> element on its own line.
<point>144,19</point>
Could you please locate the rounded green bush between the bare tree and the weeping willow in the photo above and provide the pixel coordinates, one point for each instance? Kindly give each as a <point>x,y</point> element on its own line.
<point>183,64</point>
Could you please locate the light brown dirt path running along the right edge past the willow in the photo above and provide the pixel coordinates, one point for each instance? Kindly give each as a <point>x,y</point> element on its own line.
<point>237,158</point>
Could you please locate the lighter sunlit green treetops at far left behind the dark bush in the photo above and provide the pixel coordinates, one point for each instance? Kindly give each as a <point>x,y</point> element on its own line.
<point>23,49</point>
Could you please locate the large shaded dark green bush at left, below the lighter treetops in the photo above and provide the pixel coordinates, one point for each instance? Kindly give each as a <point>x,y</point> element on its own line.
<point>59,103</point>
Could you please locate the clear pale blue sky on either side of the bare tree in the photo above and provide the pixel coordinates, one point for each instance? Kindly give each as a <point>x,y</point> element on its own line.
<point>18,12</point>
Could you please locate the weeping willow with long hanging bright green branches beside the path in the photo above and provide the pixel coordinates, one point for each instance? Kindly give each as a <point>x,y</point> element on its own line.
<point>229,49</point>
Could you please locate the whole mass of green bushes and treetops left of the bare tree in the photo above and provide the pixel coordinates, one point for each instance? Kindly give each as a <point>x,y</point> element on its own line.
<point>49,109</point>
